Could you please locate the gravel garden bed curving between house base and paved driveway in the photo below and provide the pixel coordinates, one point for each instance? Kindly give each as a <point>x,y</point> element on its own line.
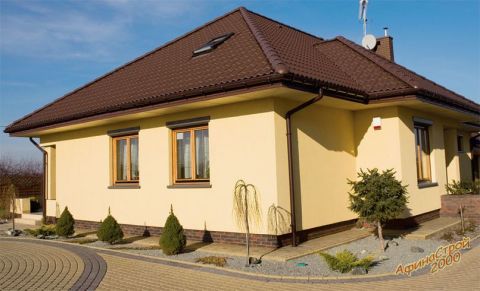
<point>399,251</point>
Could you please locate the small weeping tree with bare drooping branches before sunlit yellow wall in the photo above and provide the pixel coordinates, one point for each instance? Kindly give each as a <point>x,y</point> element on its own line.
<point>246,210</point>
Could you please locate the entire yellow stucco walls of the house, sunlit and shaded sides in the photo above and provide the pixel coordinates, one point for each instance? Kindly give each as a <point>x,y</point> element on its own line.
<point>248,141</point>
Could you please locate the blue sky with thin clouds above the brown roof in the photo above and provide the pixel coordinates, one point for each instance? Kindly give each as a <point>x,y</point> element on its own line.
<point>48,48</point>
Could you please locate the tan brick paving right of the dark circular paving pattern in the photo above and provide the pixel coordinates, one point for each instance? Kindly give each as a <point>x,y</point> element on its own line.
<point>130,274</point>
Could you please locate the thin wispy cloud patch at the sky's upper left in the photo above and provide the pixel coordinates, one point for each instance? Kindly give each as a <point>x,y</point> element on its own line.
<point>45,33</point>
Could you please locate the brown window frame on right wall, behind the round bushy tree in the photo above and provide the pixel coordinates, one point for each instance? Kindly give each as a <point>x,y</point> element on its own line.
<point>420,129</point>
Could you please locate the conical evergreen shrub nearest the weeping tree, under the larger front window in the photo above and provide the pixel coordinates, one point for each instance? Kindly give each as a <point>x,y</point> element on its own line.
<point>173,240</point>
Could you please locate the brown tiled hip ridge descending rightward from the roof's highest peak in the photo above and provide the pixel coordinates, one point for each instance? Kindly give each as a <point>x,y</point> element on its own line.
<point>273,58</point>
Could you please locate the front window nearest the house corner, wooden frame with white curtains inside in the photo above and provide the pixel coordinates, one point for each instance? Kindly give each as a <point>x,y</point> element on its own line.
<point>190,155</point>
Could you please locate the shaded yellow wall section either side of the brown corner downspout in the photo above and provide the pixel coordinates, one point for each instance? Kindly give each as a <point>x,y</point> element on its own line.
<point>324,158</point>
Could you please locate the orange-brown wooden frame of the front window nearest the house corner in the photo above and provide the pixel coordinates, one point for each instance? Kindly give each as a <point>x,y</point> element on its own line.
<point>193,156</point>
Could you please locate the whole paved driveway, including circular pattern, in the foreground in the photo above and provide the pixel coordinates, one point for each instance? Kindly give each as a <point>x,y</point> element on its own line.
<point>43,265</point>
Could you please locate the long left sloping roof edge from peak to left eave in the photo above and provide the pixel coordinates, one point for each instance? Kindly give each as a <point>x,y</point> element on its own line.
<point>125,65</point>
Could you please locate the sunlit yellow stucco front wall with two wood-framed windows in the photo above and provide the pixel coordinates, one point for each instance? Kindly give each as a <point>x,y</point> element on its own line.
<point>241,147</point>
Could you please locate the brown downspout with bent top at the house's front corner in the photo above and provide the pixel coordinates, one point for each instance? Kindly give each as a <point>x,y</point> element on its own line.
<point>288,117</point>
